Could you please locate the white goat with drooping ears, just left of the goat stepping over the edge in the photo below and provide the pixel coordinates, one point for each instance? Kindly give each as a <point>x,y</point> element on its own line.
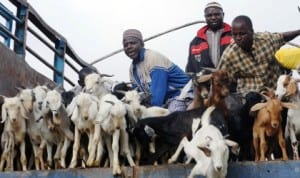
<point>83,111</point>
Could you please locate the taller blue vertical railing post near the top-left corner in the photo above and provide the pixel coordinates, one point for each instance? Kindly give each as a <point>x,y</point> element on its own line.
<point>20,32</point>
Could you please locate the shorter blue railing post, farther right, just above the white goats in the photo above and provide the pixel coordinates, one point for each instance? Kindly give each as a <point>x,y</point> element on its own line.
<point>59,62</point>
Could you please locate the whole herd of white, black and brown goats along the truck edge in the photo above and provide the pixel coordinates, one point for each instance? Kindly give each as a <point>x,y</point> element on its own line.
<point>99,127</point>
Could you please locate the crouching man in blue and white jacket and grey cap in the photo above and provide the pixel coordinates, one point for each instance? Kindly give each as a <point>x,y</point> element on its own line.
<point>154,74</point>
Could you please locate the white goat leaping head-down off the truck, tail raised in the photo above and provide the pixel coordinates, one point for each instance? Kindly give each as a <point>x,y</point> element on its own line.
<point>209,149</point>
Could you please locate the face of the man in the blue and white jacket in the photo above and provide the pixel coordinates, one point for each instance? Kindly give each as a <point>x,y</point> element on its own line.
<point>132,47</point>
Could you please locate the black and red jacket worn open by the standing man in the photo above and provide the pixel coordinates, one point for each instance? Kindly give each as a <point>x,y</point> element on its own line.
<point>199,49</point>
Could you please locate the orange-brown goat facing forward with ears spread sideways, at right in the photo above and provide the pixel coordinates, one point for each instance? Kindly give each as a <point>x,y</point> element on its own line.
<point>268,125</point>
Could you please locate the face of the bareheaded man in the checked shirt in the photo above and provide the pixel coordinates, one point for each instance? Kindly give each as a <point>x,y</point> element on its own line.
<point>242,35</point>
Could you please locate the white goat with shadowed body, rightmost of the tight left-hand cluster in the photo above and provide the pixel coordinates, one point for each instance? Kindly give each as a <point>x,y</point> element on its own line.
<point>55,128</point>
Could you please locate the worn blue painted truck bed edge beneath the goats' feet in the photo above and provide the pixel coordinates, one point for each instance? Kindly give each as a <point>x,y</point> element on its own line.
<point>274,169</point>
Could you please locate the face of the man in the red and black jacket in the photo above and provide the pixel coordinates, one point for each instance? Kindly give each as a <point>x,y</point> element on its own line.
<point>214,18</point>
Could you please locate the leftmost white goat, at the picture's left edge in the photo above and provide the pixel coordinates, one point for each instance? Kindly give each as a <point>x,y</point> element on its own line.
<point>13,117</point>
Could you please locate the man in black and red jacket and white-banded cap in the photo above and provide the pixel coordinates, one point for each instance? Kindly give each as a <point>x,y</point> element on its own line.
<point>211,40</point>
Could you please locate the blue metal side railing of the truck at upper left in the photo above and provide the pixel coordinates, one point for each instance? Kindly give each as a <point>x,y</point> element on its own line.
<point>25,21</point>
